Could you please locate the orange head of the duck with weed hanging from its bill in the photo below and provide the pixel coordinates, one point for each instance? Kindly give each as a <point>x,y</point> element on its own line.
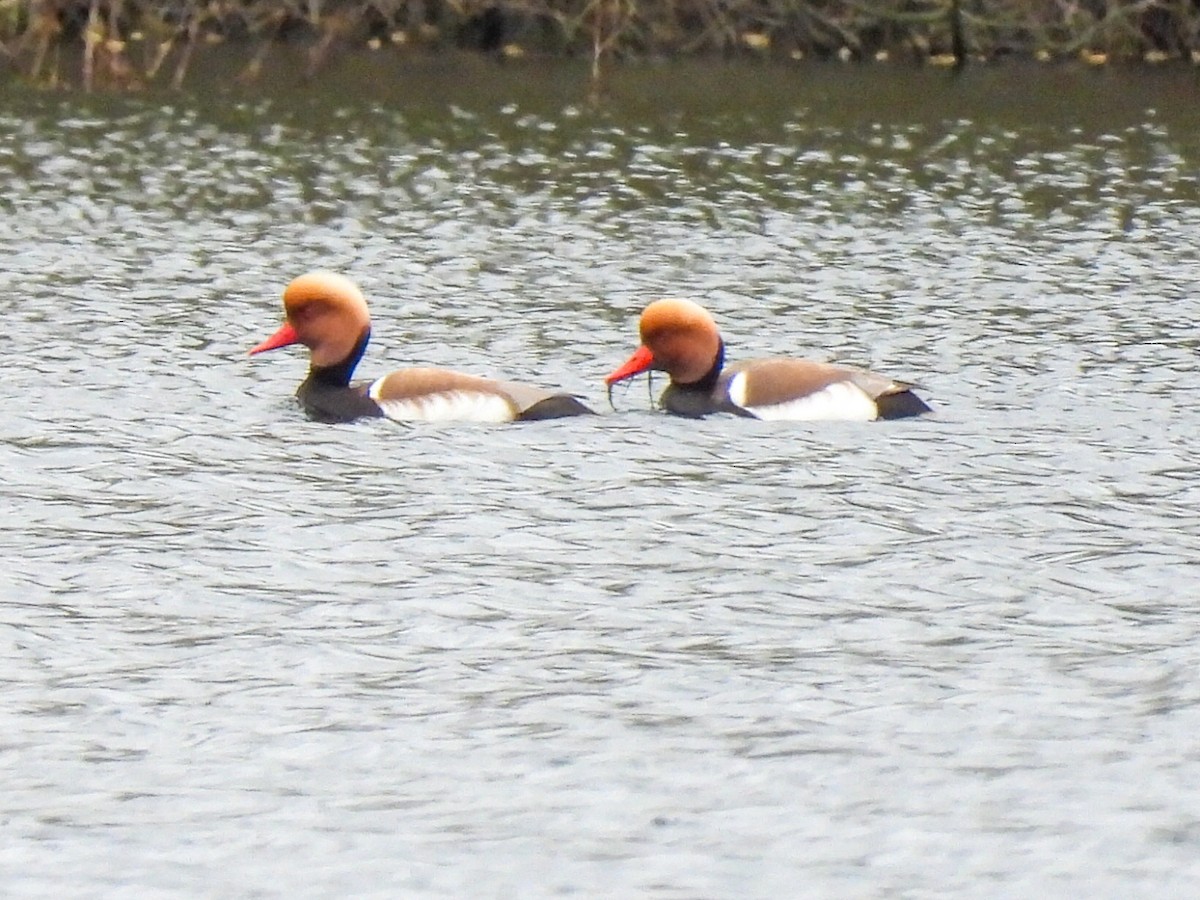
<point>679,338</point>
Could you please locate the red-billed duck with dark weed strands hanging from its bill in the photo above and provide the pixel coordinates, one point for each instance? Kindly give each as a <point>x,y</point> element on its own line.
<point>682,339</point>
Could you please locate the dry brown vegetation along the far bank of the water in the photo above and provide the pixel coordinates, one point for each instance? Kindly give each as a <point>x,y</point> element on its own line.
<point>128,44</point>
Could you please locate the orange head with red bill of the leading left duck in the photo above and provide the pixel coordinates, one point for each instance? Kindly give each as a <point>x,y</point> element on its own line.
<point>327,314</point>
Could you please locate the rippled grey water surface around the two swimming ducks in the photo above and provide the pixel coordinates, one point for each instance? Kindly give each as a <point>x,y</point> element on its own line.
<point>247,655</point>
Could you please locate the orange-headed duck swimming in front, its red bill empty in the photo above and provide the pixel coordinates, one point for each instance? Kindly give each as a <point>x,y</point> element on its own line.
<point>328,314</point>
